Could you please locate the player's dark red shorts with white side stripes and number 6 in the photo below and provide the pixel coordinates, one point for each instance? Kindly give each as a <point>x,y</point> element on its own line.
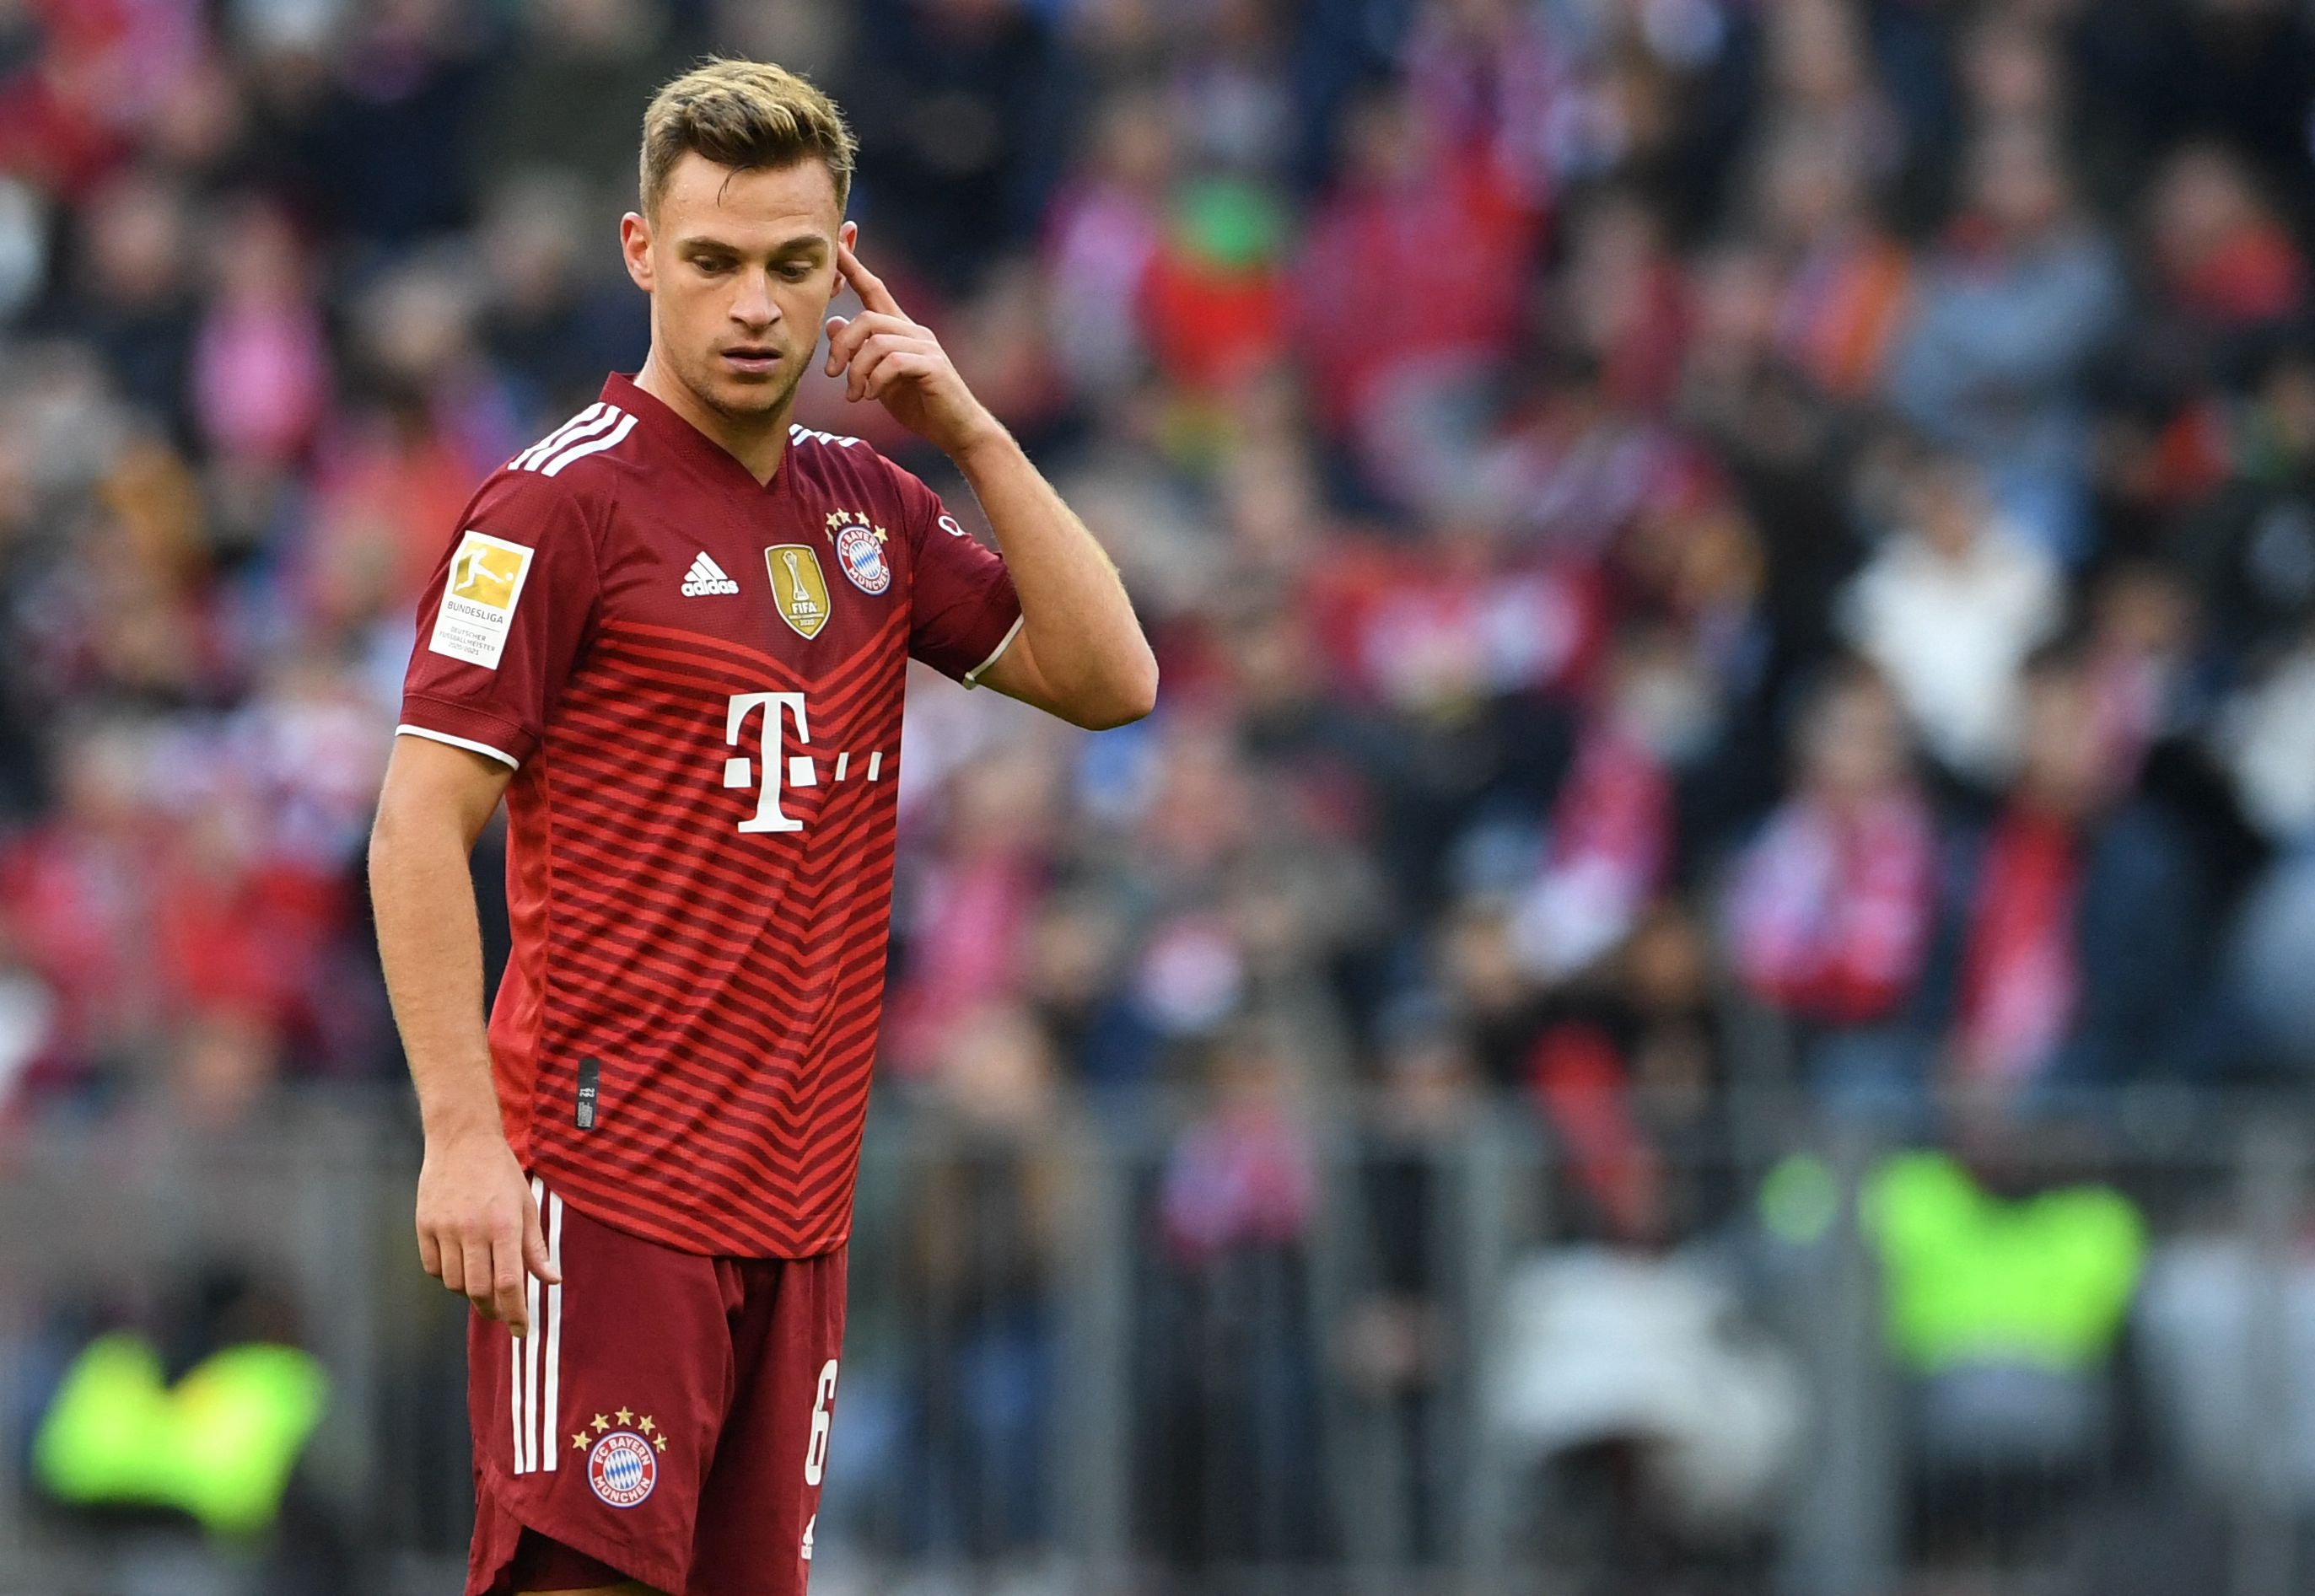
<point>668,1417</point>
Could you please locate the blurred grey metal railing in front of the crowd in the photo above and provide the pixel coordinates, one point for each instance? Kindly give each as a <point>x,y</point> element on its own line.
<point>1376,1389</point>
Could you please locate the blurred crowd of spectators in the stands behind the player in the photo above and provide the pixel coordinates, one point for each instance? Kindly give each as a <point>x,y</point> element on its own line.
<point>1696,545</point>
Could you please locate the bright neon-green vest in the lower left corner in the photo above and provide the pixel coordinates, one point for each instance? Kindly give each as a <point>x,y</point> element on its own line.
<point>219,1444</point>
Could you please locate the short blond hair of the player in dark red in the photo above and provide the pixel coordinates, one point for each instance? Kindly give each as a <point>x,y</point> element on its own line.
<point>744,114</point>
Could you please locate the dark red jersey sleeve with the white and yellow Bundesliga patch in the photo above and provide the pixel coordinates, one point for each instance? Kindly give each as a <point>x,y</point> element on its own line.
<point>504,621</point>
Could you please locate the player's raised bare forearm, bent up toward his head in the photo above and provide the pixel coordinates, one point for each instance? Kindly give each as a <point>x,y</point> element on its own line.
<point>1073,603</point>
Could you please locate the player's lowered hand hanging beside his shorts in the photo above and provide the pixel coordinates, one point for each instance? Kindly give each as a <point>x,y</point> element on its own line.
<point>480,1227</point>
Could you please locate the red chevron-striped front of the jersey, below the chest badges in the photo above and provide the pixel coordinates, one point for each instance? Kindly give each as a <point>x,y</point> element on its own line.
<point>733,1000</point>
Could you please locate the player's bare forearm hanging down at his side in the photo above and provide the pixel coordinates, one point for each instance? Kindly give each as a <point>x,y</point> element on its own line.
<point>429,943</point>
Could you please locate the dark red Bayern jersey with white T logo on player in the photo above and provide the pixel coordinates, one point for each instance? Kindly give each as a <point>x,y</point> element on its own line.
<point>698,684</point>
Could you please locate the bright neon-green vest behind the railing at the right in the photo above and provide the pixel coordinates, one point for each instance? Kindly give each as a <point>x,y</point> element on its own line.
<point>1976,1278</point>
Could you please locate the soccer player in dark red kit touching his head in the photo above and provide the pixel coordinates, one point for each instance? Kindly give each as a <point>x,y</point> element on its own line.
<point>675,635</point>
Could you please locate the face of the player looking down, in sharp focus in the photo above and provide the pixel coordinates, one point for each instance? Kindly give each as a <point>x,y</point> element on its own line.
<point>740,269</point>
